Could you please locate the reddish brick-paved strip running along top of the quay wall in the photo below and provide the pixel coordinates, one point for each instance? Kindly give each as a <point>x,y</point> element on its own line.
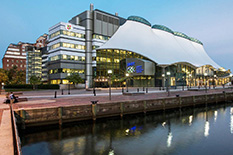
<point>74,100</point>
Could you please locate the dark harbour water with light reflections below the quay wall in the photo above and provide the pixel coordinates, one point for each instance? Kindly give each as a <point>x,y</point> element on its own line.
<point>190,131</point>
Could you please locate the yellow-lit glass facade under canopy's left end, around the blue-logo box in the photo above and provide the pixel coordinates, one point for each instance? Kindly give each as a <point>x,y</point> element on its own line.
<point>111,59</point>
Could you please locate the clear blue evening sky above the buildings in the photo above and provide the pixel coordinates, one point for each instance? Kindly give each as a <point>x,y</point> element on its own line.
<point>210,21</point>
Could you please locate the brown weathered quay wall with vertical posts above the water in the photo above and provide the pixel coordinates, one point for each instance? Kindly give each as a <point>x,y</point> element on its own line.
<point>55,115</point>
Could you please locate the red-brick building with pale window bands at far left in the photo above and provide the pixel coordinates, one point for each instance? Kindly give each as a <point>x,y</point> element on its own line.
<point>15,55</point>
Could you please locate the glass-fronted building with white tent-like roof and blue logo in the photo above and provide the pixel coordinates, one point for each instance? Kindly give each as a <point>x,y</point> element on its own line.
<point>155,56</point>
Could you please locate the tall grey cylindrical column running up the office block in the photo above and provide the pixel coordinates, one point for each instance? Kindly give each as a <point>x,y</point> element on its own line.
<point>89,31</point>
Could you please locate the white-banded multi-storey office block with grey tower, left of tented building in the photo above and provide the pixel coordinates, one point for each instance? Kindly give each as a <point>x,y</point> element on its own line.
<point>72,46</point>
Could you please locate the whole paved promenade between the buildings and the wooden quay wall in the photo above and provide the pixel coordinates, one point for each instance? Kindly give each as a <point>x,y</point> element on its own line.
<point>43,99</point>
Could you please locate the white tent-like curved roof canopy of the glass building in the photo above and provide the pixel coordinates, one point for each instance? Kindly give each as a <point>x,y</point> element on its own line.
<point>160,46</point>
